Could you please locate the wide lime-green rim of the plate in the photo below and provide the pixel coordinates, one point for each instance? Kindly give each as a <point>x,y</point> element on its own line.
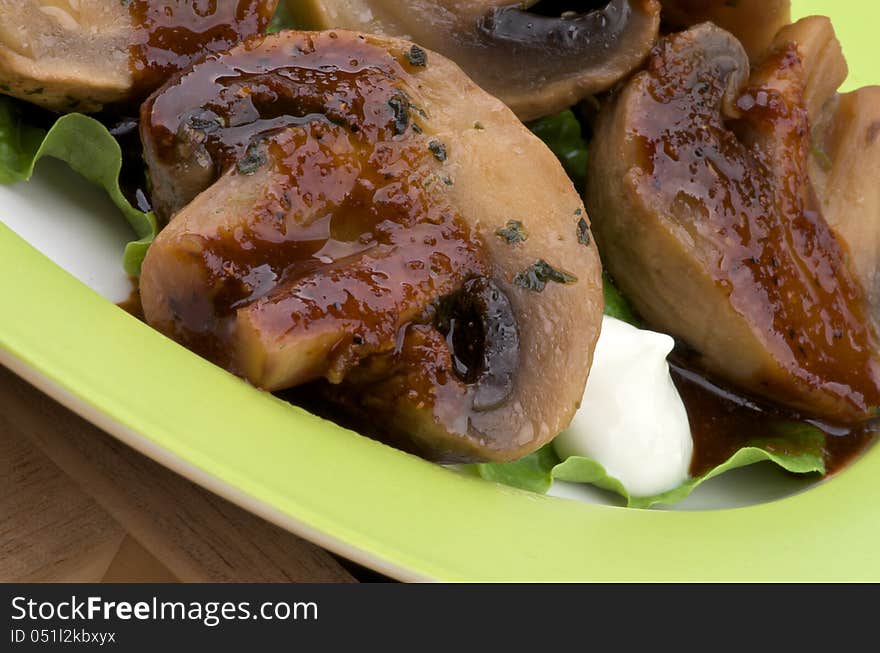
<point>391,511</point>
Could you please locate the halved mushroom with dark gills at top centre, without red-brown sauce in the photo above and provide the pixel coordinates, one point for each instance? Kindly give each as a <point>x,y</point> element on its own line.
<point>537,63</point>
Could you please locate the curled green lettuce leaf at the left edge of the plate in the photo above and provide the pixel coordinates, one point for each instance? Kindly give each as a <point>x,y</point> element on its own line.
<point>88,148</point>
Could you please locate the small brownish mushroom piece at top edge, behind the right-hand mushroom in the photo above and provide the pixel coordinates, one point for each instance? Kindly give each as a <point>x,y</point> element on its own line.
<point>754,22</point>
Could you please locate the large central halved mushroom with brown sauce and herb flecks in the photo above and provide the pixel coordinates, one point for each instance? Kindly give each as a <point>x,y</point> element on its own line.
<point>335,201</point>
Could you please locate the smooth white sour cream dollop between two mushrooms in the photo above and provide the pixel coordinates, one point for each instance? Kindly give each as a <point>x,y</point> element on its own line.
<point>632,419</point>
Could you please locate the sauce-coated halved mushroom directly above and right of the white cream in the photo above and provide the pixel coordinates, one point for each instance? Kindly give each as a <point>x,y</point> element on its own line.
<point>705,215</point>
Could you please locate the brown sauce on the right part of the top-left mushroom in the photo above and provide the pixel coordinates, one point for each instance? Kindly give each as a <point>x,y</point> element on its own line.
<point>170,35</point>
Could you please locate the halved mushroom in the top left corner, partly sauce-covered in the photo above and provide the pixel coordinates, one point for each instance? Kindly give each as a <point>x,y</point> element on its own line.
<point>79,55</point>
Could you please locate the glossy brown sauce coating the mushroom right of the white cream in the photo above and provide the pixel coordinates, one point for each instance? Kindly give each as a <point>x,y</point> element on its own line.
<point>751,209</point>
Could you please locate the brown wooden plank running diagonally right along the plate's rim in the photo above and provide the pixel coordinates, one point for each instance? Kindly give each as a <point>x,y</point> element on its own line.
<point>194,534</point>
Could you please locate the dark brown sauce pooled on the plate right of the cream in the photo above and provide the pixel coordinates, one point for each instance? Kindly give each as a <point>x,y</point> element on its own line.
<point>724,422</point>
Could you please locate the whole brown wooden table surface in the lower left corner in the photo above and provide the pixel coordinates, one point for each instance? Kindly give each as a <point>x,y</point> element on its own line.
<point>78,505</point>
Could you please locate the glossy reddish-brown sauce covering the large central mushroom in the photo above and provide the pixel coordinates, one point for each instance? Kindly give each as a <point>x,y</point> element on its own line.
<point>350,233</point>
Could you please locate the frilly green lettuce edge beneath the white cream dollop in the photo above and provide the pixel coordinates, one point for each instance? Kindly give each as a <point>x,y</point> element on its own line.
<point>795,447</point>
